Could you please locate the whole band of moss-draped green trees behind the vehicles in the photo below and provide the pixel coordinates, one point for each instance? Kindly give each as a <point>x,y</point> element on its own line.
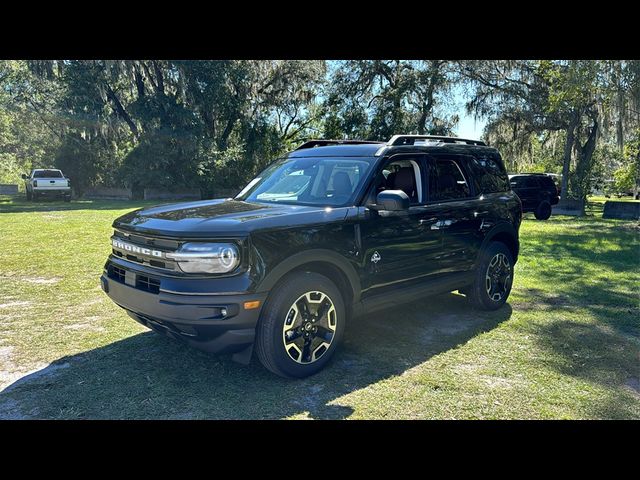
<point>216,124</point>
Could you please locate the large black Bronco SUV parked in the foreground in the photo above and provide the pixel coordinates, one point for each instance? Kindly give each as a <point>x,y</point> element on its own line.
<point>332,230</point>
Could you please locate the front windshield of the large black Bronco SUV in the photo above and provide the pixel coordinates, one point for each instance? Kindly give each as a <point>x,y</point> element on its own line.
<point>309,181</point>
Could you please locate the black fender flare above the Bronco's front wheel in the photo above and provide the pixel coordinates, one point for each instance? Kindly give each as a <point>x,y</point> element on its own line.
<point>308,256</point>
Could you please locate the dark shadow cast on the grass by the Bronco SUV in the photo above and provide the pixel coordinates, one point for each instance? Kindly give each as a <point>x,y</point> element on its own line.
<point>150,376</point>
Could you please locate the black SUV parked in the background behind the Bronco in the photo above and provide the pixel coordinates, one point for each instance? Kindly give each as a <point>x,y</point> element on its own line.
<point>537,191</point>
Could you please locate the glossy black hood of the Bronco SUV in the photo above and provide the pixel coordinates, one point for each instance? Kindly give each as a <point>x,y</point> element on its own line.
<point>222,218</point>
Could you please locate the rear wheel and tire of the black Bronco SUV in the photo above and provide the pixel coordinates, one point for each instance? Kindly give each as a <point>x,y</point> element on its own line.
<point>483,293</point>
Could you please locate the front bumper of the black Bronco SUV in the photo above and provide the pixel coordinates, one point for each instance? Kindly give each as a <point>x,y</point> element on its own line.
<point>216,323</point>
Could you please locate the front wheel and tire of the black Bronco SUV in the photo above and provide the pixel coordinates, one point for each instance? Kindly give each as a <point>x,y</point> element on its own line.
<point>283,316</point>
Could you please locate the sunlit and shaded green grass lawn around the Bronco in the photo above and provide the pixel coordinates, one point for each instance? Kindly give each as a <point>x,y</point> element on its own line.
<point>567,344</point>
